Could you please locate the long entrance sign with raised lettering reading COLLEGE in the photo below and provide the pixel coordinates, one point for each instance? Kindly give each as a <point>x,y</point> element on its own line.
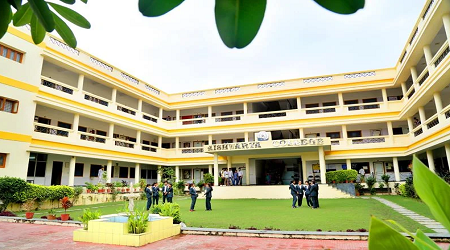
<point>282,146</point>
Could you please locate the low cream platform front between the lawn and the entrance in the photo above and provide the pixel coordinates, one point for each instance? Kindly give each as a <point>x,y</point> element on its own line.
<point>270,192</point>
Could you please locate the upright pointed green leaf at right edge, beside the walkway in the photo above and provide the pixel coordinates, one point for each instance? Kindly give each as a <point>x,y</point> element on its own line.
<point>432,190</point>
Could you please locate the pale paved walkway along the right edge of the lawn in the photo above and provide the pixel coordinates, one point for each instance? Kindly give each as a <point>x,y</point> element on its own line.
<point>430,223</point>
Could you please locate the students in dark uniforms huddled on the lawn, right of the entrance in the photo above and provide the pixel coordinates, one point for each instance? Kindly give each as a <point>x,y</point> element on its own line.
<point>311,191</point>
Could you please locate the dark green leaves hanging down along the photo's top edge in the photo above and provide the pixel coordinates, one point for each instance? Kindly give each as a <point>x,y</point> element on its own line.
<point>237,21</point>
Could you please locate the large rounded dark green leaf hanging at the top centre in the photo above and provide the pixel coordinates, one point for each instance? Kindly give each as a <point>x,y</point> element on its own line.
<point>238,21</point>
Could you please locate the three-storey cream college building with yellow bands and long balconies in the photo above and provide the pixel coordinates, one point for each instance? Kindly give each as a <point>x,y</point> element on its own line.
<point>65,113</point>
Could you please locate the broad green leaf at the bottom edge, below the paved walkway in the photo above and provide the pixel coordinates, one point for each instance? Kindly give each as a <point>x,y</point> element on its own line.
<point>382,236</point>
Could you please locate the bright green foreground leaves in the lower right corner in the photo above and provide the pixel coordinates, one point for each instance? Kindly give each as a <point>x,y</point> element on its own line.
<point>435,193</point>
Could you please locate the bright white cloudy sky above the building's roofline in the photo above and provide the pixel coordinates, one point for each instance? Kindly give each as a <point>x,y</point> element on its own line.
<point>182,51</point>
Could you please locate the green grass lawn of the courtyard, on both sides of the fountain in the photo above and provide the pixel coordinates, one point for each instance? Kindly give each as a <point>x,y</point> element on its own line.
<point>333,214</point>
